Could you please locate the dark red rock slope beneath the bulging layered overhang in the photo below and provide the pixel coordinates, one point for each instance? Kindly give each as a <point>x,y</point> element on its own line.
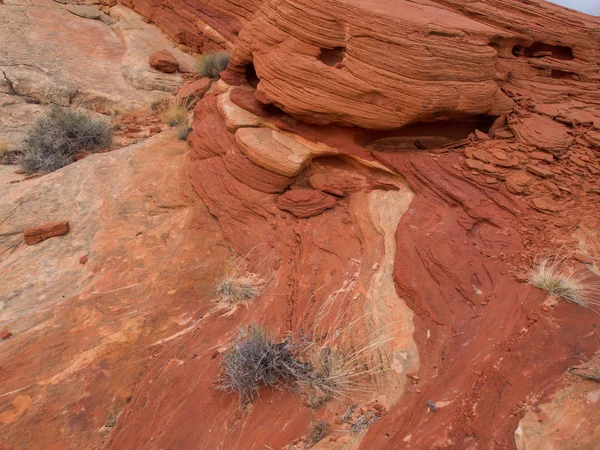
<point>488,351</point>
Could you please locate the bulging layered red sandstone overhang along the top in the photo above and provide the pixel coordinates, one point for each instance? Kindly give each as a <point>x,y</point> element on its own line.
<point>381,66</point>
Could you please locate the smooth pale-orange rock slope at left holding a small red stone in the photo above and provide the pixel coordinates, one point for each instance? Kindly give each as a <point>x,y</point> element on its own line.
<point>84,334</point>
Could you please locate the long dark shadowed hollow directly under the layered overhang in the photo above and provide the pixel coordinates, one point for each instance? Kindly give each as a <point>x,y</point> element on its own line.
<point>426,135</point>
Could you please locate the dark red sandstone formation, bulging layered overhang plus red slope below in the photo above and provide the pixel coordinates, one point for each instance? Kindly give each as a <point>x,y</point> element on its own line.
<point>489,347</point>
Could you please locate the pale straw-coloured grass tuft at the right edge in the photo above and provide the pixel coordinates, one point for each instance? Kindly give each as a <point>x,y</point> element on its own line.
<point>559,278</point>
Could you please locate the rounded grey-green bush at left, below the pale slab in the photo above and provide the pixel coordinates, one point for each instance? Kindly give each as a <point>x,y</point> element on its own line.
<point>55,138</point>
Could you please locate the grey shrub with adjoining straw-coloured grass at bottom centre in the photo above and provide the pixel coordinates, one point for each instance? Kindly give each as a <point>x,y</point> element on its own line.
<point>323,365</point>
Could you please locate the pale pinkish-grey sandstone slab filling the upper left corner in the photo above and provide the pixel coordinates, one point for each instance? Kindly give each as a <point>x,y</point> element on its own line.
<point>50,55</point>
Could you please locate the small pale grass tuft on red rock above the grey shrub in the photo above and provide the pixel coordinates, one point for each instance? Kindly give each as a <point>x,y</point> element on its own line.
<point>237,283</point>
